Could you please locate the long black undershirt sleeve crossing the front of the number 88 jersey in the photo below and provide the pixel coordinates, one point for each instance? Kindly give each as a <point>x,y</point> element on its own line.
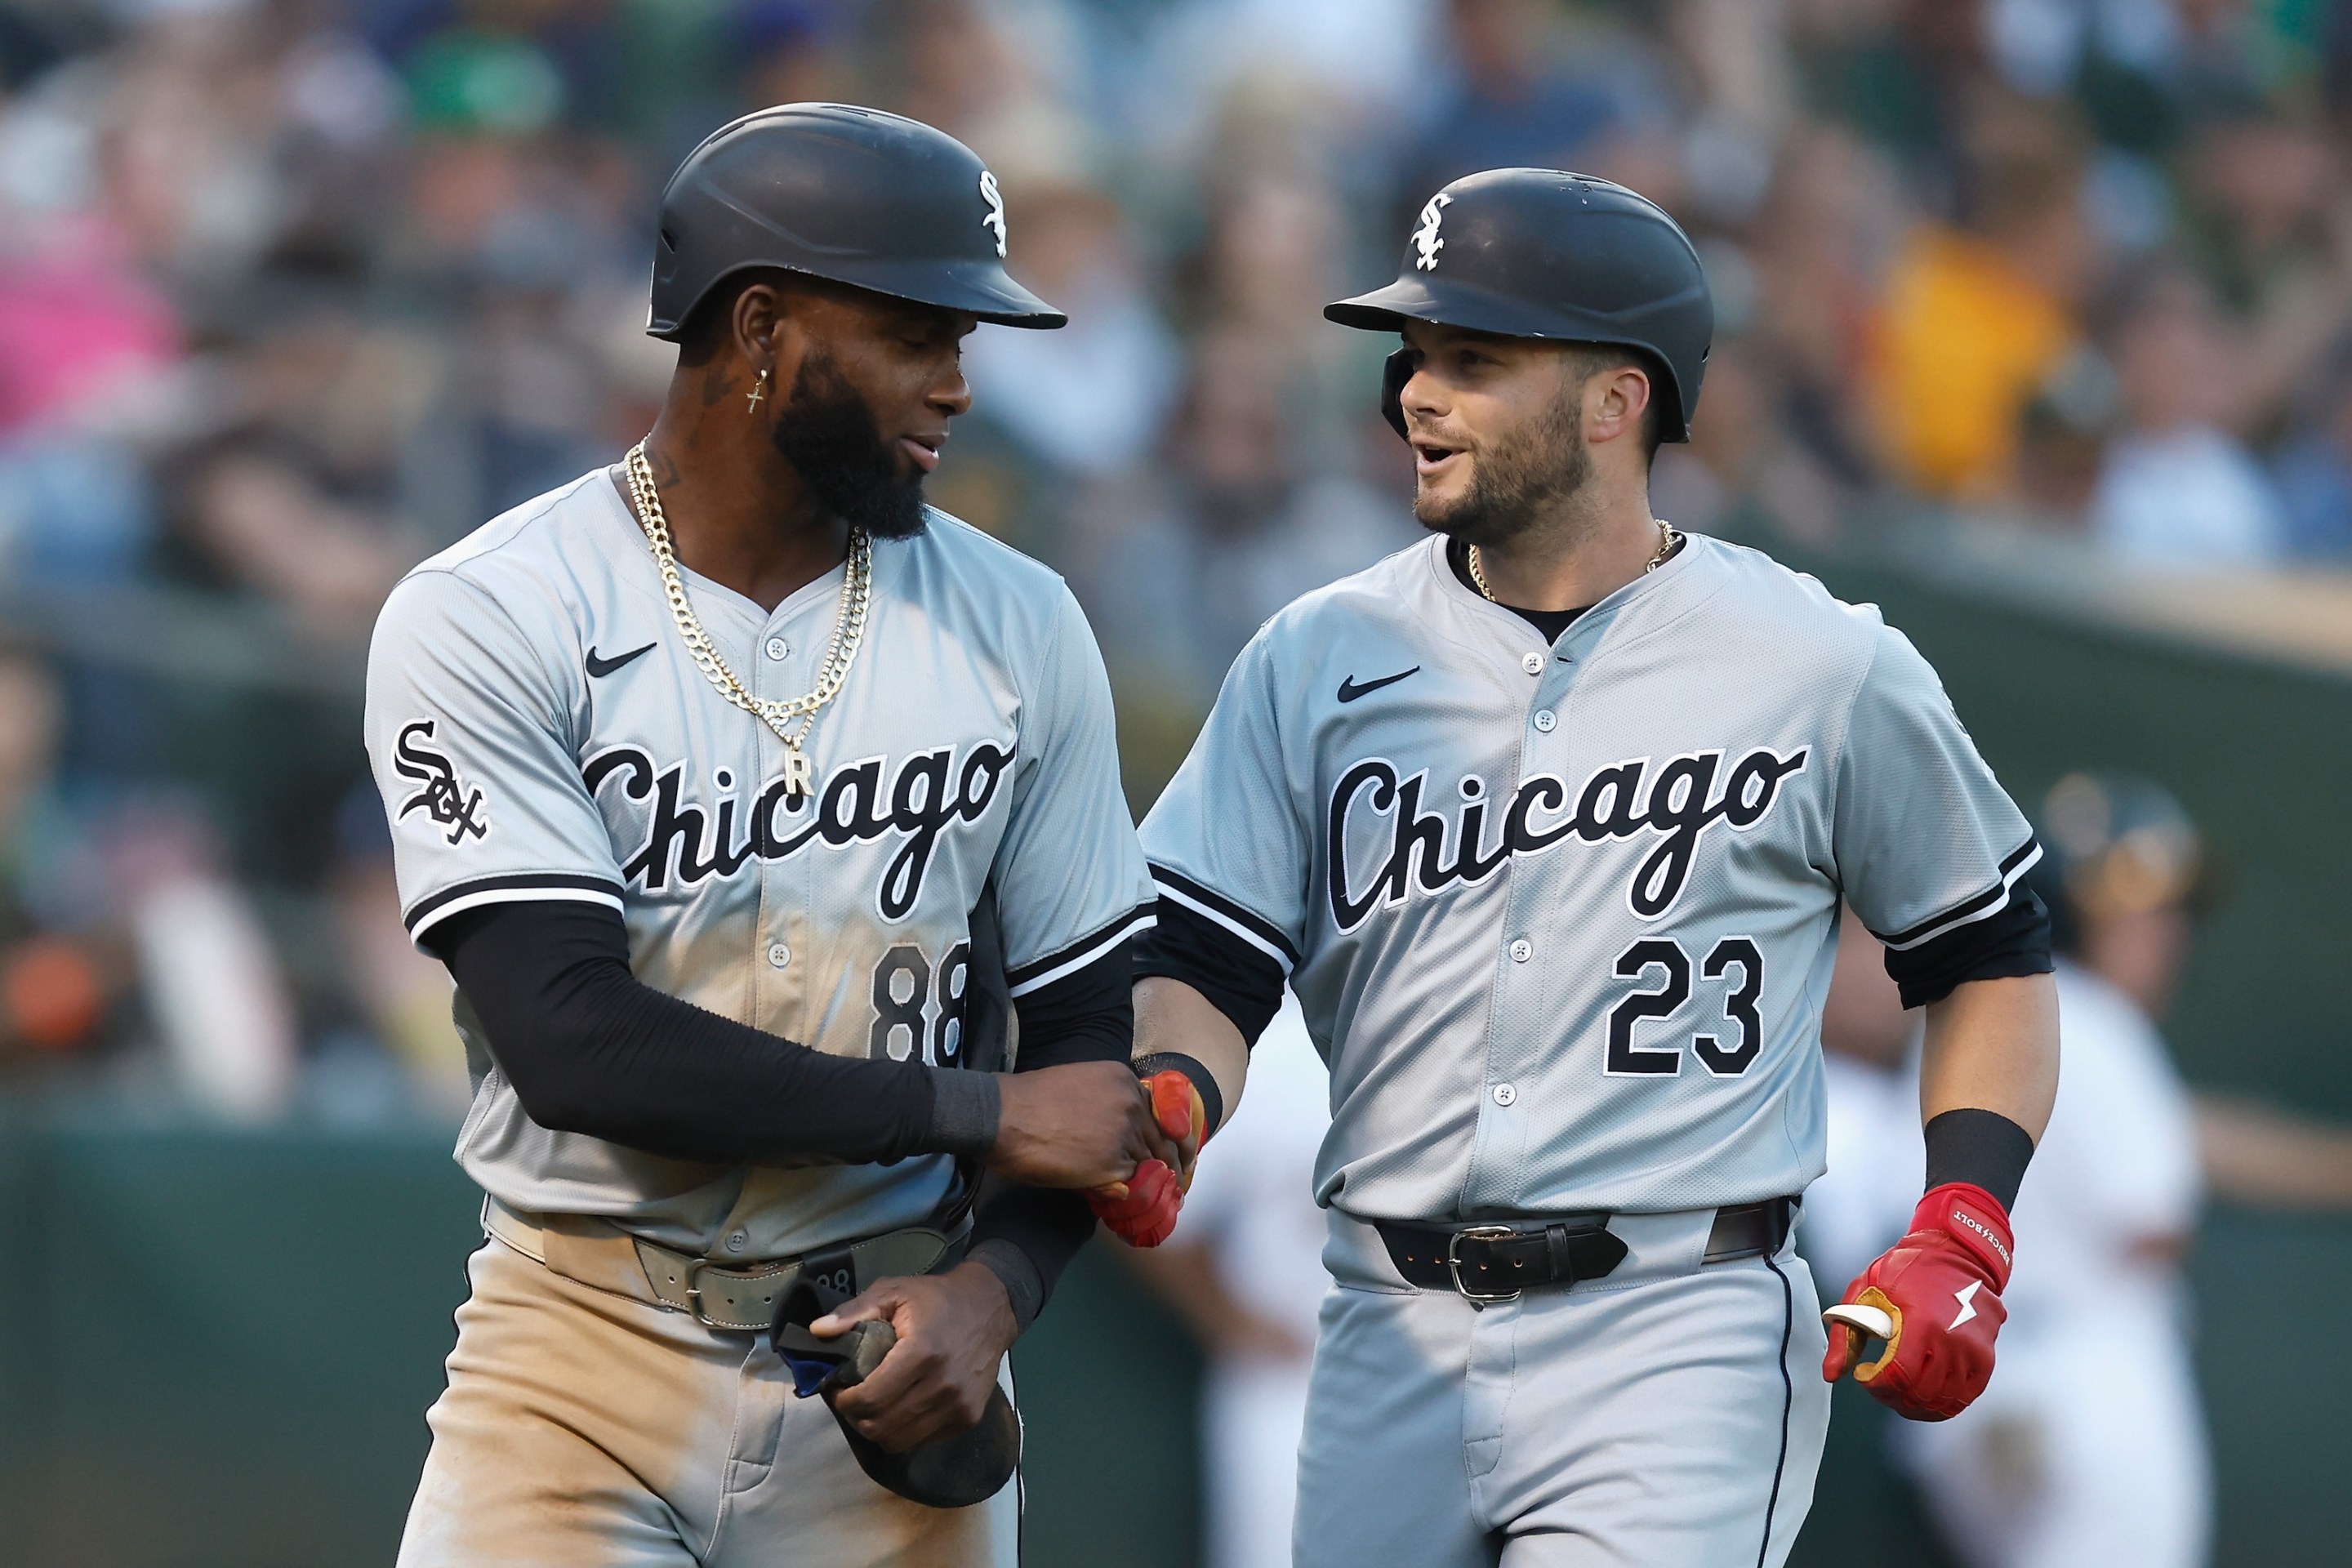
<point>592,1050</point>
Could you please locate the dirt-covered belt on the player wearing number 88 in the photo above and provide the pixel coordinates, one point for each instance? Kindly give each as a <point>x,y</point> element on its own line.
<point>737,1296</point>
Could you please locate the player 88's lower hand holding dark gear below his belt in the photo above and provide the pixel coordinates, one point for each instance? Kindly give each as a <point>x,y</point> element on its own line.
<point>954,1329</point>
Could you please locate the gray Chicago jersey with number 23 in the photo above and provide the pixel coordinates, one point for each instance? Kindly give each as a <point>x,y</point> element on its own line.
<point>1563,918</point>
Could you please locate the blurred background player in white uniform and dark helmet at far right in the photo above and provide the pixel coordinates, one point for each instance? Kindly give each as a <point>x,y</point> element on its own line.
<point>2092,1449</point>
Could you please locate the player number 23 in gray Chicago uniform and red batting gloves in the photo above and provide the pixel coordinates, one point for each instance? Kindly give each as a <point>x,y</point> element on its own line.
<point>1546,822</point>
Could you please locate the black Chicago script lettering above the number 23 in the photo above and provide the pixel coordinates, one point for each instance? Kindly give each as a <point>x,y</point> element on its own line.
<point>1678,805</point>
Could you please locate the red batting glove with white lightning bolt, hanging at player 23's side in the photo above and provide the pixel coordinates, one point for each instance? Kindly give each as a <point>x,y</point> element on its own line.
<point>1942,1285</point>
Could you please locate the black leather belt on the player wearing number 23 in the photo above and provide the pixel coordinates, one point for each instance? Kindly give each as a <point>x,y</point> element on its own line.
<point>1495,1264</point>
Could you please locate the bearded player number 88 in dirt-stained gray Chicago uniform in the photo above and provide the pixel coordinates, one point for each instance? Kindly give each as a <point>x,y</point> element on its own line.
<point>749,800</point>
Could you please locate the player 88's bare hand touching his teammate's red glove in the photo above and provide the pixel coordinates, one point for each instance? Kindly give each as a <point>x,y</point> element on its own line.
<point>1085,1125</point>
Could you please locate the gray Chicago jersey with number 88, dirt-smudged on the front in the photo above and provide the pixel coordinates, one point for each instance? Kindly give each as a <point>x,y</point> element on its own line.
<point>540,732</point>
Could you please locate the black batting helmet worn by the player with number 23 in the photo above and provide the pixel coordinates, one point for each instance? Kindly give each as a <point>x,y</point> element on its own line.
<point>1549,255</point>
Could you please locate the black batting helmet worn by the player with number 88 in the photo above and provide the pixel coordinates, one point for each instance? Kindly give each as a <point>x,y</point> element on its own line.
<point>846,194</point>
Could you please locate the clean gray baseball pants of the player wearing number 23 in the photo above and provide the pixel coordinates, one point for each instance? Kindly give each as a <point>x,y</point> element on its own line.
<point>1669,1416</point>
